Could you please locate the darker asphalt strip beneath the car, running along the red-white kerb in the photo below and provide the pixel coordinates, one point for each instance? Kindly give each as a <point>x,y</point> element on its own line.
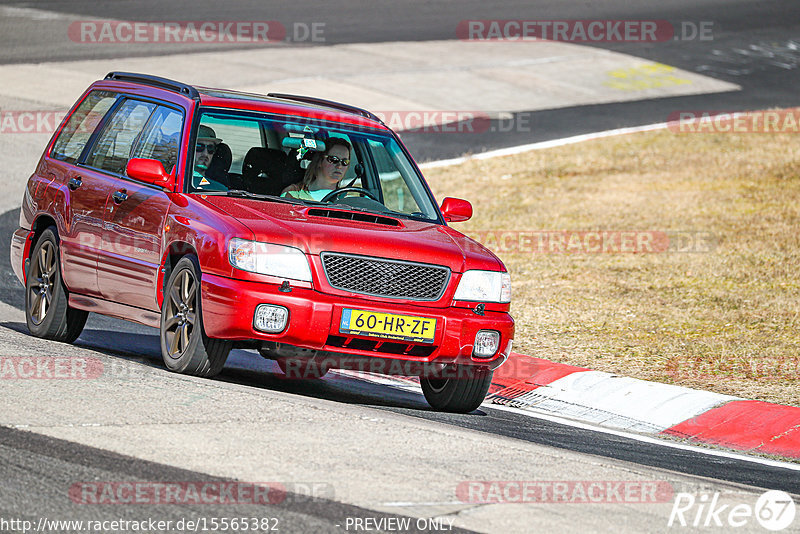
<point>129,340</point>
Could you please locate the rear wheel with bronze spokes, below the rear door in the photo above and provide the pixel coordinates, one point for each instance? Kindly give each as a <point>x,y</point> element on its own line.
<point>47,310</point>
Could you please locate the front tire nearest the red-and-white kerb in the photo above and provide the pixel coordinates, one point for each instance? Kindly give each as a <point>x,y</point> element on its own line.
<point>459,389</point>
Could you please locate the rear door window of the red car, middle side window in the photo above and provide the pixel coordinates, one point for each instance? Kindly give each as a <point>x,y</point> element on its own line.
<point>113,148</point>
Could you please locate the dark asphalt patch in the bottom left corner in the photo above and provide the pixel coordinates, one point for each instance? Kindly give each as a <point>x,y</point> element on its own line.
<point>48,465</point>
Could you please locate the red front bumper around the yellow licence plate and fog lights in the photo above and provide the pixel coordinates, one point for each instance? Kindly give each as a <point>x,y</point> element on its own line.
<point>314,318</point>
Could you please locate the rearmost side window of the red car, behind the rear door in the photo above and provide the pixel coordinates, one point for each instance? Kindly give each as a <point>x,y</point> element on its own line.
<point>81,125</point>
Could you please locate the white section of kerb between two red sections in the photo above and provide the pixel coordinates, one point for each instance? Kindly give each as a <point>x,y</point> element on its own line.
<point>620,401</point>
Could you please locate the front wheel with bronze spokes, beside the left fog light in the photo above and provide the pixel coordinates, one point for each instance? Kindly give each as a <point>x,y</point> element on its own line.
<point>185,347</point>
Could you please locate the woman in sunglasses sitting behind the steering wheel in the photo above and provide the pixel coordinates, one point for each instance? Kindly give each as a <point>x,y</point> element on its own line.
<point>324,173</point>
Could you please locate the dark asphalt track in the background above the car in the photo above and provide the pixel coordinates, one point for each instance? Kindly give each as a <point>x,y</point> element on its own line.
<point>755,44</point>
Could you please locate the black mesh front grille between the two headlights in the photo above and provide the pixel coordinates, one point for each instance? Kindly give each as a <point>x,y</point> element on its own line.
<point>385,278</point>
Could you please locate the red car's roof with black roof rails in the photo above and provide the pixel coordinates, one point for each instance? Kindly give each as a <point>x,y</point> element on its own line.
<point>283,104</point>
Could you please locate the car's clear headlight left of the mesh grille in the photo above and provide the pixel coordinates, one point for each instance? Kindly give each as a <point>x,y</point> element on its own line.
<point>265,258</point>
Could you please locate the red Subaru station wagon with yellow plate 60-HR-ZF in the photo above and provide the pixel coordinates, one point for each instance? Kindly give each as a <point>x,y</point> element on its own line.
<point>189,209</point>
